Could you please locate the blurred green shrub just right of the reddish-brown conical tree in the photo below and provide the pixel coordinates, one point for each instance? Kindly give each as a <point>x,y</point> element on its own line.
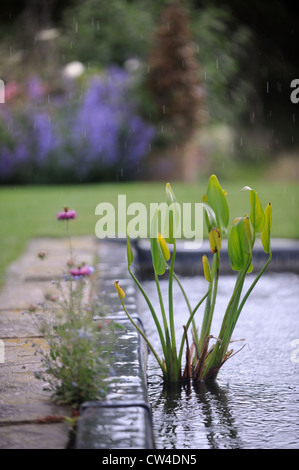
<point>223,51</point>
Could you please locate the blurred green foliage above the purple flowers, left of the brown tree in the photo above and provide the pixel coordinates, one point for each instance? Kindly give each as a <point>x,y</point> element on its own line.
<point>99,33</point>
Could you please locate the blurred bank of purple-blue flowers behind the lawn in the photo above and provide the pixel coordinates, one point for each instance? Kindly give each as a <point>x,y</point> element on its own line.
<point>92,137</point>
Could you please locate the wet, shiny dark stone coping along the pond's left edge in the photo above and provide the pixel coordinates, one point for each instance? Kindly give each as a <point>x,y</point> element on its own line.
<point>123,419</point>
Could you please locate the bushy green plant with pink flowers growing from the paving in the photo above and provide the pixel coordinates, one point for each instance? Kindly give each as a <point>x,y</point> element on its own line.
<point>75,360</point>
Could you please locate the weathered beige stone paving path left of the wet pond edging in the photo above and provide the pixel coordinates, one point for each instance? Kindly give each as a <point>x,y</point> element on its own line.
<point>25,407</point>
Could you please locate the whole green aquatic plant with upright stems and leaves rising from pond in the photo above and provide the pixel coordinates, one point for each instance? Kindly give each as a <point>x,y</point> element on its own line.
<point>204,363</point>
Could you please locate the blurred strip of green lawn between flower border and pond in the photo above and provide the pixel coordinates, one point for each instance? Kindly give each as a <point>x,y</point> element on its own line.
<point>30,211</point>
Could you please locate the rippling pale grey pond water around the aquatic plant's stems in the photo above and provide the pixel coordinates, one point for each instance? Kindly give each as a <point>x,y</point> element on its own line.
<point>255,401</point>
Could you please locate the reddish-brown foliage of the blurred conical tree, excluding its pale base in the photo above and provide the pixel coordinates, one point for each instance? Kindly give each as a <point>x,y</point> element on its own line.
<point>173,79</point>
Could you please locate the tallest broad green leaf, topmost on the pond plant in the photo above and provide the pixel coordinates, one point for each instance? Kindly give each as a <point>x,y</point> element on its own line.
<point>217,200</point>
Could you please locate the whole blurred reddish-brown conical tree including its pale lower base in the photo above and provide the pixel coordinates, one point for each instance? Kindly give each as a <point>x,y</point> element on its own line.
<point>173,83</point>
